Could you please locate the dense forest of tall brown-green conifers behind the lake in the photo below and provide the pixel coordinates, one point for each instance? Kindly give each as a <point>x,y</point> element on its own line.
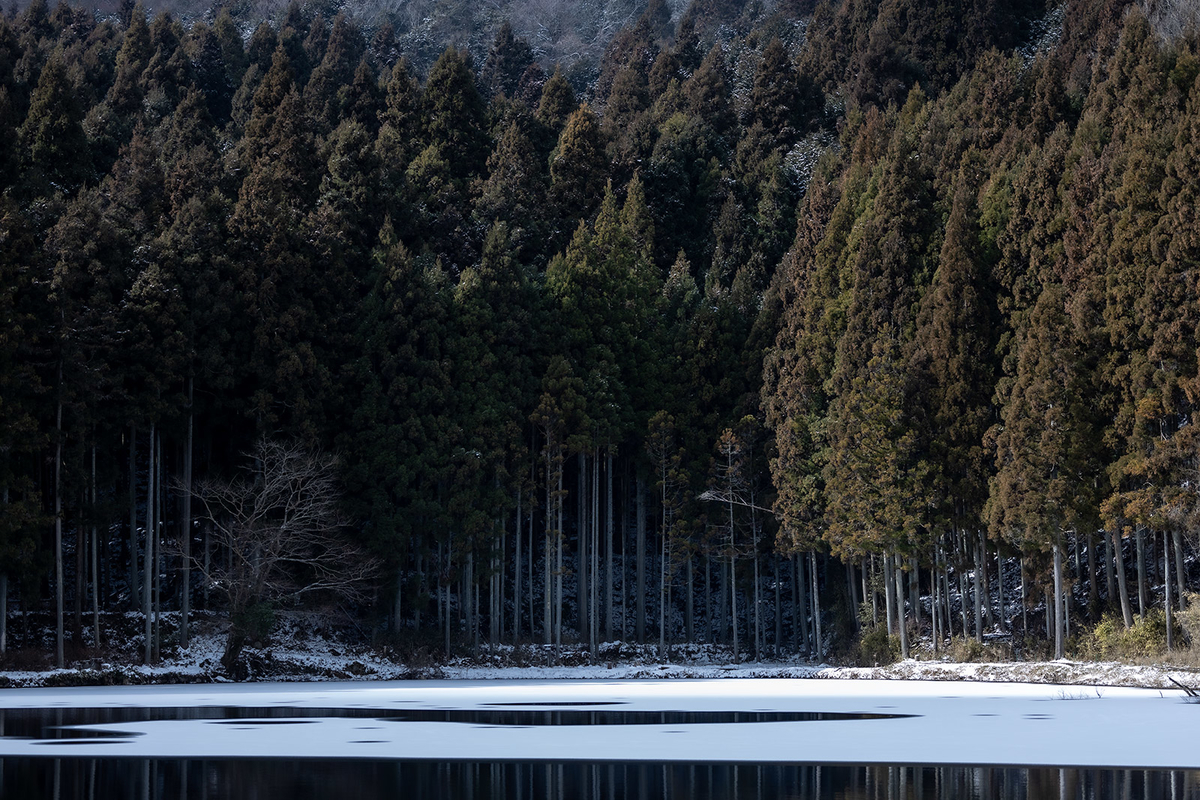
<point>787,327</point>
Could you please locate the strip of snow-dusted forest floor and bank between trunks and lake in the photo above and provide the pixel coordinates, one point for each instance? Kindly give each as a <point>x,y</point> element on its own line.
<point>310,649</point>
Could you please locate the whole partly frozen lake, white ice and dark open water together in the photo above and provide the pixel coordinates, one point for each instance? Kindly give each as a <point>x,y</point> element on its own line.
<point>604,739</point>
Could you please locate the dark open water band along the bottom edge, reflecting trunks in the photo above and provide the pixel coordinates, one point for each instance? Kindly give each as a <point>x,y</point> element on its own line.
<point>80,779</point>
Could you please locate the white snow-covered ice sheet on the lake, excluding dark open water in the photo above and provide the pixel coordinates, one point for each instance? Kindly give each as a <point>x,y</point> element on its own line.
<point>964,723</point>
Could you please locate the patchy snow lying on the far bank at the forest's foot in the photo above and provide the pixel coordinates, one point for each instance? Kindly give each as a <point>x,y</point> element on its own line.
<point>299,653</point>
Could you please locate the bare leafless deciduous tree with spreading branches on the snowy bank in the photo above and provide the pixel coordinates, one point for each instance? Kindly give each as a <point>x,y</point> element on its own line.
<point>279,528</point>
